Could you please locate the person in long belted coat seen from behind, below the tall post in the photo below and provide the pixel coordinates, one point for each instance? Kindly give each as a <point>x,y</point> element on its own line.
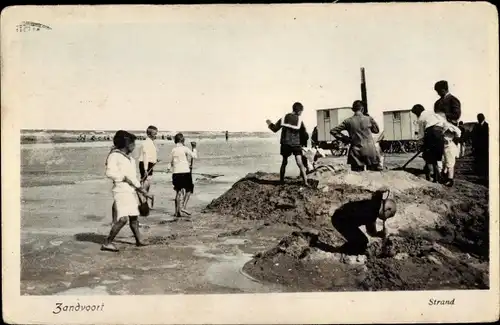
<point>362,149</point>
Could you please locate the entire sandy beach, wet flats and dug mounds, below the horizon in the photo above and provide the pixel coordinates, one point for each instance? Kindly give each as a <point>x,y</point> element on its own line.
<point>246,234</point>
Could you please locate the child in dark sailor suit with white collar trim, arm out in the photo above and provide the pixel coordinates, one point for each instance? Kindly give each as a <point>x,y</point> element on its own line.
<point>291,126</point>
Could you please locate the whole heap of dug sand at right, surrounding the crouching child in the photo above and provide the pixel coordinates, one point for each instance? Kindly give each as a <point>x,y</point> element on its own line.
<point>438,239</point>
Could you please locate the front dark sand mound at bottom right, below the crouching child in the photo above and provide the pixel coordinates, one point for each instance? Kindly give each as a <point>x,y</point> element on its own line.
<point>308,261</point>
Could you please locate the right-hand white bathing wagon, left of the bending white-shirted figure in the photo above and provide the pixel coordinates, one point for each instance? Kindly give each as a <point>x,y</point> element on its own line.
<point>400,131</point>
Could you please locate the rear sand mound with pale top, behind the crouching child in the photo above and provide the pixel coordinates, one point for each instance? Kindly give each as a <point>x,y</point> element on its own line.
<point>259,197</point>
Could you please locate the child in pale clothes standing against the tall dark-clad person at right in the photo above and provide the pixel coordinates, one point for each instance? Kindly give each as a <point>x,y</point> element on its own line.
<point>451,152</point>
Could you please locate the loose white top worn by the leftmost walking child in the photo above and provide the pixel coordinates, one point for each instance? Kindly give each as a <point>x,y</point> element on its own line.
<point>119,166</point>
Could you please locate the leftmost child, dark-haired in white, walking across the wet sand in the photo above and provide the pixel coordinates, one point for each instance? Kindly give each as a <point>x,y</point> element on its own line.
<point>121,168</point>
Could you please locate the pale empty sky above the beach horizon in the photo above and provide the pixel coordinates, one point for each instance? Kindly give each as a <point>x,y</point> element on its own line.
<point>231,68</point>
